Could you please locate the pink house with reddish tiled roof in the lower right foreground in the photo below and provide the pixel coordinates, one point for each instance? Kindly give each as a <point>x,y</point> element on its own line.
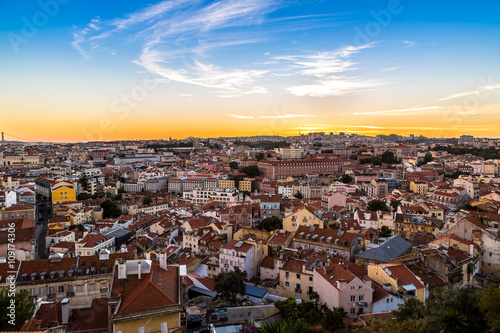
<point>337,286</point>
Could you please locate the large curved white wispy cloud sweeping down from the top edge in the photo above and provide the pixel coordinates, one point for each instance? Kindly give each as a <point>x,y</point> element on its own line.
<point>172,36</point>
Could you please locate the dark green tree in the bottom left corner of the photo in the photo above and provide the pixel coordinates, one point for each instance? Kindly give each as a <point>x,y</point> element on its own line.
<point>23,309</point>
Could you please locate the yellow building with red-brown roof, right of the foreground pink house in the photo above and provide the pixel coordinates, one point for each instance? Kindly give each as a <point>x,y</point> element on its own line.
<point>401,280</point>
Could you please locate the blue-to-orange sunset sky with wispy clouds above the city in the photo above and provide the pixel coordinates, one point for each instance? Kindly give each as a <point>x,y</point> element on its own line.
<point>106,70</point>
